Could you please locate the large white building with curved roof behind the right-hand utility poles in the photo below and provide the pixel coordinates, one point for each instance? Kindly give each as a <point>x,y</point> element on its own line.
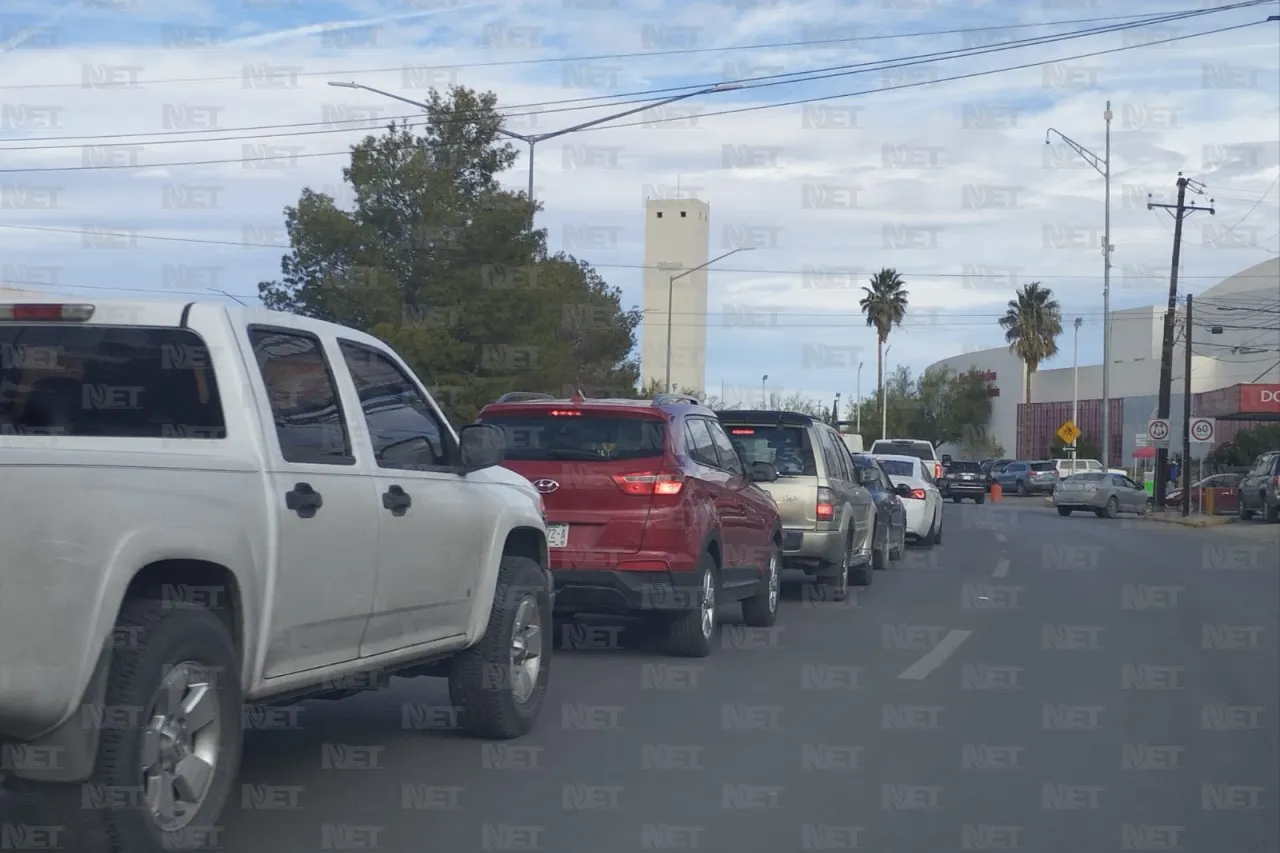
<point>1246,352</point>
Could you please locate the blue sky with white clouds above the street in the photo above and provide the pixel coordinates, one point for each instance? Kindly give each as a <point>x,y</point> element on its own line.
<point>950,184</point>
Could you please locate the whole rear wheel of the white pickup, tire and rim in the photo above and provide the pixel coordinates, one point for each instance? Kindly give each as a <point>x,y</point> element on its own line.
<point>181,670</point>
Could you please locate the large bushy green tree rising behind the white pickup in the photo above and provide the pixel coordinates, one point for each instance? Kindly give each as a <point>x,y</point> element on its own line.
<point>442,263</point>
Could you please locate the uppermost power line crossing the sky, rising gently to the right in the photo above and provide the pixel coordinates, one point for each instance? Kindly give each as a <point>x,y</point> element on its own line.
<point>509,63</point>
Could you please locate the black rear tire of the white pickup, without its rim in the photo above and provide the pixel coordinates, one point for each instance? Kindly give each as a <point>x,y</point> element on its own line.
<point>161,638</point>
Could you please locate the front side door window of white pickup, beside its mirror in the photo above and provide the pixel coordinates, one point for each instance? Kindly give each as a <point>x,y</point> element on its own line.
<point>404,430</point>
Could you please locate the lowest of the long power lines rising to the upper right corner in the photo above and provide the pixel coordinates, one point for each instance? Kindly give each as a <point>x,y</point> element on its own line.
<point>661,120</point>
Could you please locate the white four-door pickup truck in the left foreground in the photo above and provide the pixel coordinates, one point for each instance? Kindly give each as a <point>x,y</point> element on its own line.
<point>204,505</point>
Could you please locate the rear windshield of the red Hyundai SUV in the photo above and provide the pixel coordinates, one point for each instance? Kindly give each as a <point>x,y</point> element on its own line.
<point>579,436</point>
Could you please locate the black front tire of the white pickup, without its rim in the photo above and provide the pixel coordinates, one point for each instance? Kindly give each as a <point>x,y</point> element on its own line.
<point>481,678</point>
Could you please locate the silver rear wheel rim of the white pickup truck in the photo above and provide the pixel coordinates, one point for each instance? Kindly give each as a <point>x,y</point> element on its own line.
<point>180,746</point>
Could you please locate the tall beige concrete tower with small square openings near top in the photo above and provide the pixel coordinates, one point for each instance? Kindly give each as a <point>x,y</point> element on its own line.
<point>676,238</point>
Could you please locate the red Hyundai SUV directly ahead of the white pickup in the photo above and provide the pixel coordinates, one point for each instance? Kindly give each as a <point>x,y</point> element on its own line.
<point>650,510</point>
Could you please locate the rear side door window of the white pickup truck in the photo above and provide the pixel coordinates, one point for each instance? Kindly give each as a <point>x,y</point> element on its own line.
<point>309,418</point>
